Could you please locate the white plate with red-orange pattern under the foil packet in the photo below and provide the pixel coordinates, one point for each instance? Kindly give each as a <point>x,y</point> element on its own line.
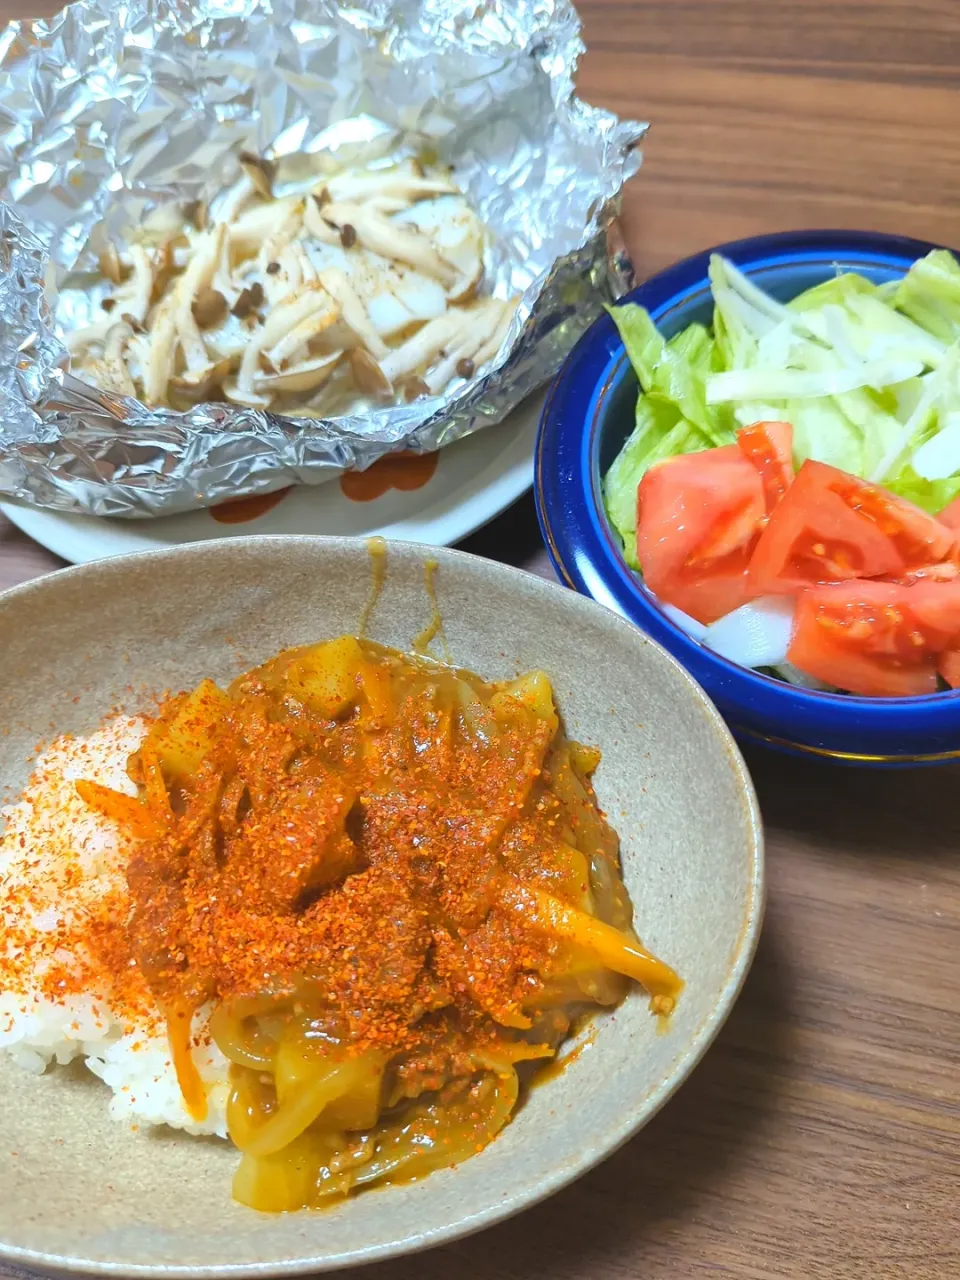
<point>476,479</point>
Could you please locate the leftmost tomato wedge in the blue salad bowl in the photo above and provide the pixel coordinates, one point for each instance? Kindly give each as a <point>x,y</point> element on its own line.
<point>698,519</point>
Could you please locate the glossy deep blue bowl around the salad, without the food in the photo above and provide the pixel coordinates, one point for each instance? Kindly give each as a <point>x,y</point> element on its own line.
<point>588,415</point>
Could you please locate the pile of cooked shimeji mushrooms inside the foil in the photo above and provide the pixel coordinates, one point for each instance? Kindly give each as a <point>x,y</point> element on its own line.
<point>290,291</point>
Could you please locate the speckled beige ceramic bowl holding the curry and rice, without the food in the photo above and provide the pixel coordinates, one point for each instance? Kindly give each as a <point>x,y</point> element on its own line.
<point>83,1194</point>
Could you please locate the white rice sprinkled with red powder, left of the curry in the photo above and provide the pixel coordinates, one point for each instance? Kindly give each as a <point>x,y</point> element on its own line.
<point>58,862</point>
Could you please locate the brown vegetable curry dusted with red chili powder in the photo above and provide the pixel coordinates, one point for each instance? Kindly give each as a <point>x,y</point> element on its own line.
<point>392,884</point>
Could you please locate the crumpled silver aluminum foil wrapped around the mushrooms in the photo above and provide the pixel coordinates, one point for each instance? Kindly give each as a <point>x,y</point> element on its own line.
<point>108,111</point>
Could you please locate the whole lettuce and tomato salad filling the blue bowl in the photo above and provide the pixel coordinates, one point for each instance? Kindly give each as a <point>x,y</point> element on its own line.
<point>792,488</point>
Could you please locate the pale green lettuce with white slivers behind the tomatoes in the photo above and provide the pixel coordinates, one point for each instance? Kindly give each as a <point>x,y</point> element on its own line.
<point>868,376</point>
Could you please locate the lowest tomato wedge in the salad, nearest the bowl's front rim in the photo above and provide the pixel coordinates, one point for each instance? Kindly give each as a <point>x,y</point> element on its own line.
<point>880,639</point>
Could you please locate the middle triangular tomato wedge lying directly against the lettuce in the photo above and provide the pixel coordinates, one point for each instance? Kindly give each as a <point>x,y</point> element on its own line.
<point>831,527</point>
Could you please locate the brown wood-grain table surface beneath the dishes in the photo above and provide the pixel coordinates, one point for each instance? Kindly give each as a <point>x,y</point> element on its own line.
<point>821,1137</point>
